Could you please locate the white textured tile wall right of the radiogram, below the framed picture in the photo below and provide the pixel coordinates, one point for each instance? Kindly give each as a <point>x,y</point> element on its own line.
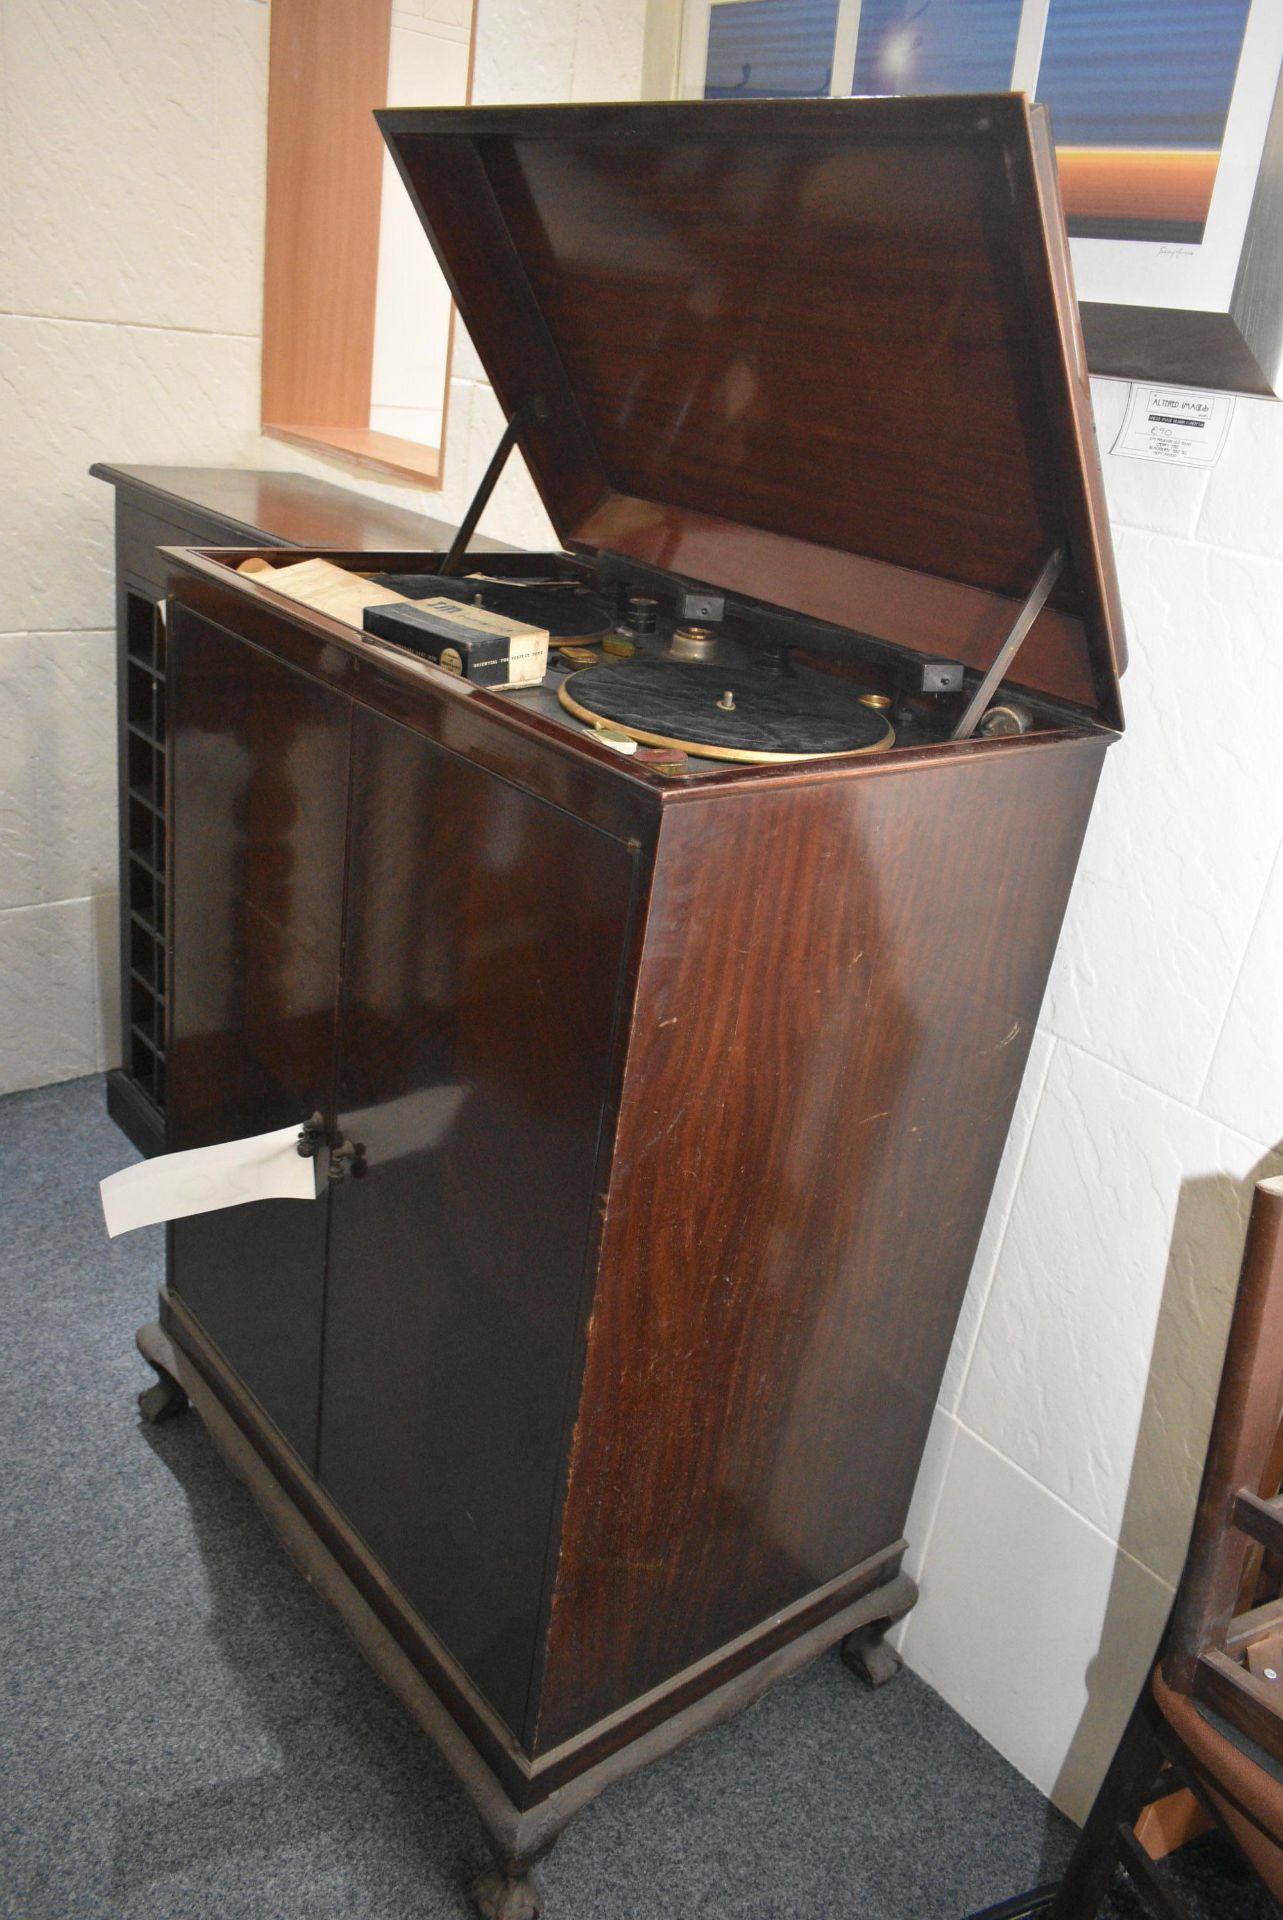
<point>1052,1520</point>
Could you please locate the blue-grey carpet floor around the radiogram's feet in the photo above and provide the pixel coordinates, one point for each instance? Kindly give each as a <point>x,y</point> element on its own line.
<point>189,1735</point>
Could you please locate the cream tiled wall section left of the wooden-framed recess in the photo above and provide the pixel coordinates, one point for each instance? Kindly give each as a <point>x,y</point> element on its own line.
<point>132,279</point>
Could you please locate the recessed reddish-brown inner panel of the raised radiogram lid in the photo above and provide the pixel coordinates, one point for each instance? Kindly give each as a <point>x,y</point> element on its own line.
<point>746,347</point>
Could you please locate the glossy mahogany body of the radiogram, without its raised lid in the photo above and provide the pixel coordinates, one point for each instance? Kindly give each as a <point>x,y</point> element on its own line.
<point>666,1118</point>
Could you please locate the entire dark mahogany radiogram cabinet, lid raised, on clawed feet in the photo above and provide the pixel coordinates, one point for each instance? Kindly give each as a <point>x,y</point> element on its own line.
<point>658,1105</point>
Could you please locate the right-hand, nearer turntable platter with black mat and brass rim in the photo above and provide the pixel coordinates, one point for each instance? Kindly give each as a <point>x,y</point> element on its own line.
<point>771,713</point>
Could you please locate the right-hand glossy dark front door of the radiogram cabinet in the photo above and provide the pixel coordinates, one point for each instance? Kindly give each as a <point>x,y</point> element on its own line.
<point>483,976</point>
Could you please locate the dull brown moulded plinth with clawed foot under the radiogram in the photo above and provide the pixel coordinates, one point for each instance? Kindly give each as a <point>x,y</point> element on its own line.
<point>523,1802</point>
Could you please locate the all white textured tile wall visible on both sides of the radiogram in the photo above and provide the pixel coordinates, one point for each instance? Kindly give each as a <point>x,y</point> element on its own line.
<point>1059,1479</point>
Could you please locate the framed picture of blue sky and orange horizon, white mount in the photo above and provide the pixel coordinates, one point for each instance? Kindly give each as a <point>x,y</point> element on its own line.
<point>1169,120</point>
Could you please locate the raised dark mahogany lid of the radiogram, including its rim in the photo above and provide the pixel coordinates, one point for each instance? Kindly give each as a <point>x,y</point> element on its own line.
<point>819,352</point>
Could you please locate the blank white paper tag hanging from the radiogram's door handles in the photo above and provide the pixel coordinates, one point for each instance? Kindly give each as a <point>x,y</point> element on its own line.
<point>268,1166</point>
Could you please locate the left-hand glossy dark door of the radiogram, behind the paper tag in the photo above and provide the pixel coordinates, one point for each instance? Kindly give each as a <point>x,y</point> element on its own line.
<point>258,798</point>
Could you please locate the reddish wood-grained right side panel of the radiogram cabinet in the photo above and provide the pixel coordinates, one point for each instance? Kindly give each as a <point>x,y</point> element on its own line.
<point>836,1001</point>
